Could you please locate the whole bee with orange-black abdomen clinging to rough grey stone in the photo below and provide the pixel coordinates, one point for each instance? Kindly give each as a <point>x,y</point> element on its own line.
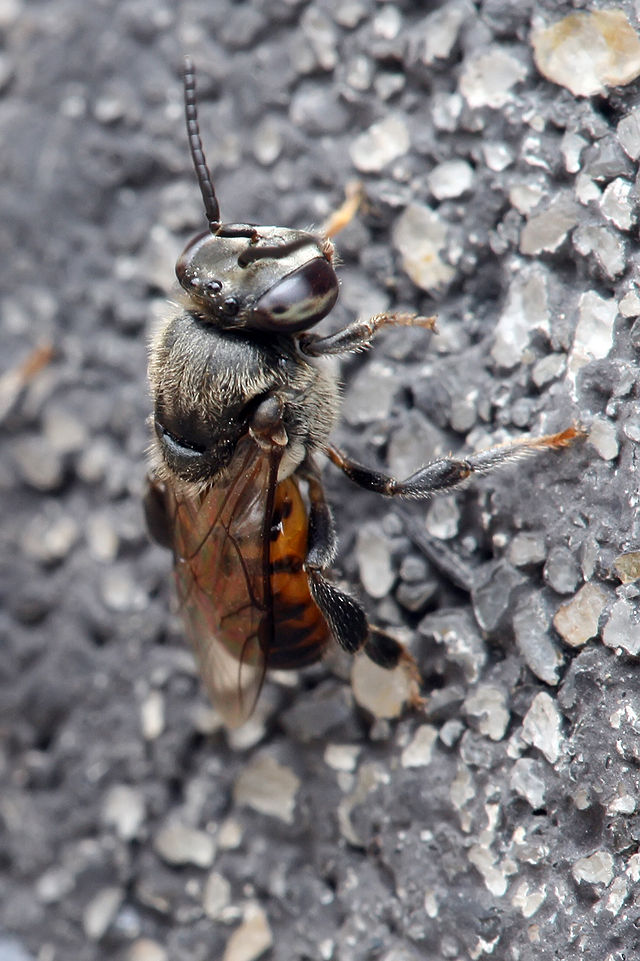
<point>245,397</point>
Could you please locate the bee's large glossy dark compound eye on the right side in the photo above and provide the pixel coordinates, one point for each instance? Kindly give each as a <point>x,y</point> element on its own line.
<point>299,300</point>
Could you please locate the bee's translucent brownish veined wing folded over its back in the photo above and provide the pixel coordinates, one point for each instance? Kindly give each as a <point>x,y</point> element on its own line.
<point>221,551</point>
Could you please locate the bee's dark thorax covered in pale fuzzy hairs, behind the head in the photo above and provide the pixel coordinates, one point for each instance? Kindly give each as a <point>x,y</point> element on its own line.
<point>208,382</point>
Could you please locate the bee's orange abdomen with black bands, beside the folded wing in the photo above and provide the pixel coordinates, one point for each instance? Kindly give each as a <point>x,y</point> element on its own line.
<point>300,632</point>
